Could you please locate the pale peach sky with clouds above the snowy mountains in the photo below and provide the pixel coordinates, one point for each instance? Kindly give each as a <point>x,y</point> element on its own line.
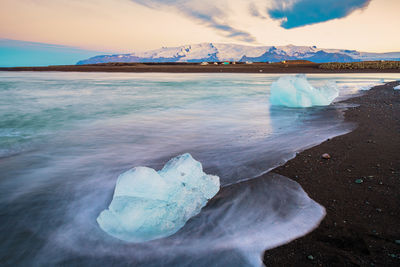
<point>124,26</point>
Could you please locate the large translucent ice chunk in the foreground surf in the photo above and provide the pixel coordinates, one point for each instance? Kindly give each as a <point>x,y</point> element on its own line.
<point>148,205</point>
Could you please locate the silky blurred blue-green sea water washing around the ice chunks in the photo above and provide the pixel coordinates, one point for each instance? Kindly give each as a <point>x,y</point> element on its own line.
<point>65,138</point>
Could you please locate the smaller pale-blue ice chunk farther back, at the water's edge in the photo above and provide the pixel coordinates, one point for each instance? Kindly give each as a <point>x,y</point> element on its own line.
<point>296,91</point>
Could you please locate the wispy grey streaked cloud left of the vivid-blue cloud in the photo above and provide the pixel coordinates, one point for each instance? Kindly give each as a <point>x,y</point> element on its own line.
<point>209,13</point>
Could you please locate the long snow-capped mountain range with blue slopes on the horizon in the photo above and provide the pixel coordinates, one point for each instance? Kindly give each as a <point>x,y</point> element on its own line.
<point>232,52</point>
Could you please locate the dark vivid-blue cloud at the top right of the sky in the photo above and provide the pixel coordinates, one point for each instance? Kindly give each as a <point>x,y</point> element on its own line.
<point>297,13</point>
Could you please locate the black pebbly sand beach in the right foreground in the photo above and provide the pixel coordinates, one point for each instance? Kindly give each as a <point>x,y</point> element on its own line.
<point>359,186</point>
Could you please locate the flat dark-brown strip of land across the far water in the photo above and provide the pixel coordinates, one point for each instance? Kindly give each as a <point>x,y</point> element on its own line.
<point>196,68</point>
